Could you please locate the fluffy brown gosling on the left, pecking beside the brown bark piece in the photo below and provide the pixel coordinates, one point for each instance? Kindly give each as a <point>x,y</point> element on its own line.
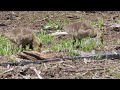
<point>24,36</point>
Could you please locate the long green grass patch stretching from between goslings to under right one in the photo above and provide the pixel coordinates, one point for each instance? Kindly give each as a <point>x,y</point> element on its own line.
<point>87,44</point>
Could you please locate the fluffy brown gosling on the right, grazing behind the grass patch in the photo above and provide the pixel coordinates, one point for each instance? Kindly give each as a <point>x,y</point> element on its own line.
<point>81,30</point>
